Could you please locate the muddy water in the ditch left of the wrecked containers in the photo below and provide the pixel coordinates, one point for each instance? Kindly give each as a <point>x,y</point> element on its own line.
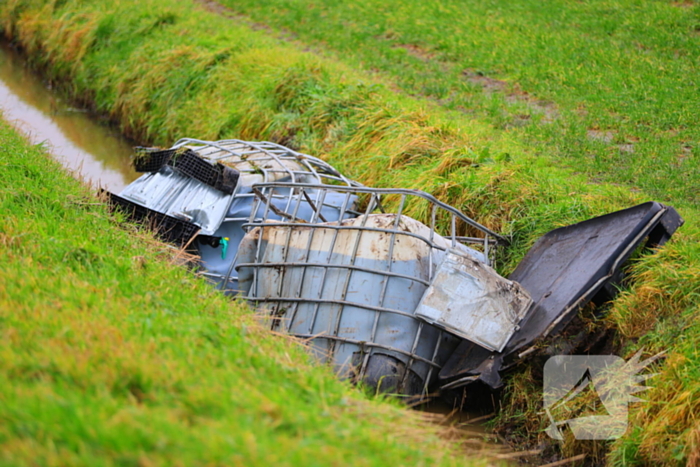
<point>97,153</point>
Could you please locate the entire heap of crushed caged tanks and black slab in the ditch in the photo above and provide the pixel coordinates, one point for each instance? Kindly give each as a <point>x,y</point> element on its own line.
<point>402,306</point>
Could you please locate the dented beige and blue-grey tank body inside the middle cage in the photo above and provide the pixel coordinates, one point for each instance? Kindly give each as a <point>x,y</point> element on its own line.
<point>350,301</point>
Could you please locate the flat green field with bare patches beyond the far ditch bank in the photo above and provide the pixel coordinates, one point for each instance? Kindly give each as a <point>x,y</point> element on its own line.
<point>597,84</point>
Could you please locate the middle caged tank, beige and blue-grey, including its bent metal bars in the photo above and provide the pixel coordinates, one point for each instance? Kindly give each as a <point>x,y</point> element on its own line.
<point>351,287</point>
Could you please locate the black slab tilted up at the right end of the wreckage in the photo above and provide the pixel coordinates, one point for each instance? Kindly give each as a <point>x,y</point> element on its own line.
<point>564,270</point>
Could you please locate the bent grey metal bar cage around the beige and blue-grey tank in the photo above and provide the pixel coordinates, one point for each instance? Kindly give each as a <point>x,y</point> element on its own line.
<point>291,196</point>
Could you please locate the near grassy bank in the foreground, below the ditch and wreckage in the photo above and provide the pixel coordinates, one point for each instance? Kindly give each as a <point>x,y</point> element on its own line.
<point>113,355</point>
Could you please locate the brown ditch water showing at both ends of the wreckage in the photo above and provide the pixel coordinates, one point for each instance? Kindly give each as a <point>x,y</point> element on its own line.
<point>102,157</point>
